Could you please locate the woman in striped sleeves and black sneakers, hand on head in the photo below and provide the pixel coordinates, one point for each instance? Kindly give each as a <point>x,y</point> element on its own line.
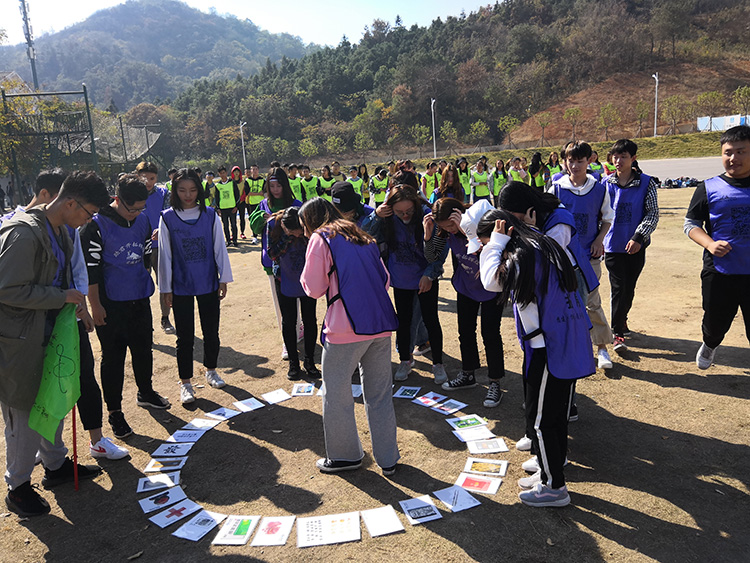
<point>454,224</point>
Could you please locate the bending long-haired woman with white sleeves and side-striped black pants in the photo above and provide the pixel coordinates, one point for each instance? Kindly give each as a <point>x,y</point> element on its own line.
<point>552,330</point>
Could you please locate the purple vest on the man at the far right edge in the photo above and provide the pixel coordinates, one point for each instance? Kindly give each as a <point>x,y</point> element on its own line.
<point>729,213</point>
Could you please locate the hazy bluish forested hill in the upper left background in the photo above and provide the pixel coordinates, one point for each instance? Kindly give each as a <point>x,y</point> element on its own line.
<point>149,50</point>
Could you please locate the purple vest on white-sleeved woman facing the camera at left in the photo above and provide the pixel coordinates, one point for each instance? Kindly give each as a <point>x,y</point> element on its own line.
<point>194,269</point>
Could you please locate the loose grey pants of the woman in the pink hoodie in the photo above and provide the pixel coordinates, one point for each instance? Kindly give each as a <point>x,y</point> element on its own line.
<point>339,423</point>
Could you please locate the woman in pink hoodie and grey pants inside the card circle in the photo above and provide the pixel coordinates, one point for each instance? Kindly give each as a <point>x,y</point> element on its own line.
<point>343,263</point>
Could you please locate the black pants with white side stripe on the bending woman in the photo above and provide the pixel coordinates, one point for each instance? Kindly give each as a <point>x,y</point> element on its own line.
<point>547,403</point>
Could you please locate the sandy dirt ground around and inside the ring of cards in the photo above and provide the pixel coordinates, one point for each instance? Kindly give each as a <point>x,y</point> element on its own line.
<point>658,459</point>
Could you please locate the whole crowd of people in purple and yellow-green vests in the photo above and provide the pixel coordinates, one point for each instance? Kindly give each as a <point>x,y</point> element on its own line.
<point>533,235</point>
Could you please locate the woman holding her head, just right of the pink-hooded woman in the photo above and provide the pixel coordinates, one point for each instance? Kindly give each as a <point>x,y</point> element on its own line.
<point>397,224</point>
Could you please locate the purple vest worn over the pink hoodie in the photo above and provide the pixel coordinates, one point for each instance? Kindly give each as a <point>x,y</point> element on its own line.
<point>361,281</point>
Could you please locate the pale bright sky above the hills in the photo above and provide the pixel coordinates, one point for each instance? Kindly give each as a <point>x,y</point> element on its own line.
<point>351,16</point>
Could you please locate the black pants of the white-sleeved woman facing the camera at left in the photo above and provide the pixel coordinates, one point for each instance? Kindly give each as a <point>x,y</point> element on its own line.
<point>184,323</point>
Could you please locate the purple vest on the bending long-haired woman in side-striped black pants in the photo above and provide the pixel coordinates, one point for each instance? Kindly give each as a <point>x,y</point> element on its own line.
<point>565,325</point>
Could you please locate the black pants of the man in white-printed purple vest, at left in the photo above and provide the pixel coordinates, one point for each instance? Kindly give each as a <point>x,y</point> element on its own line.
<point>128,328</point>
